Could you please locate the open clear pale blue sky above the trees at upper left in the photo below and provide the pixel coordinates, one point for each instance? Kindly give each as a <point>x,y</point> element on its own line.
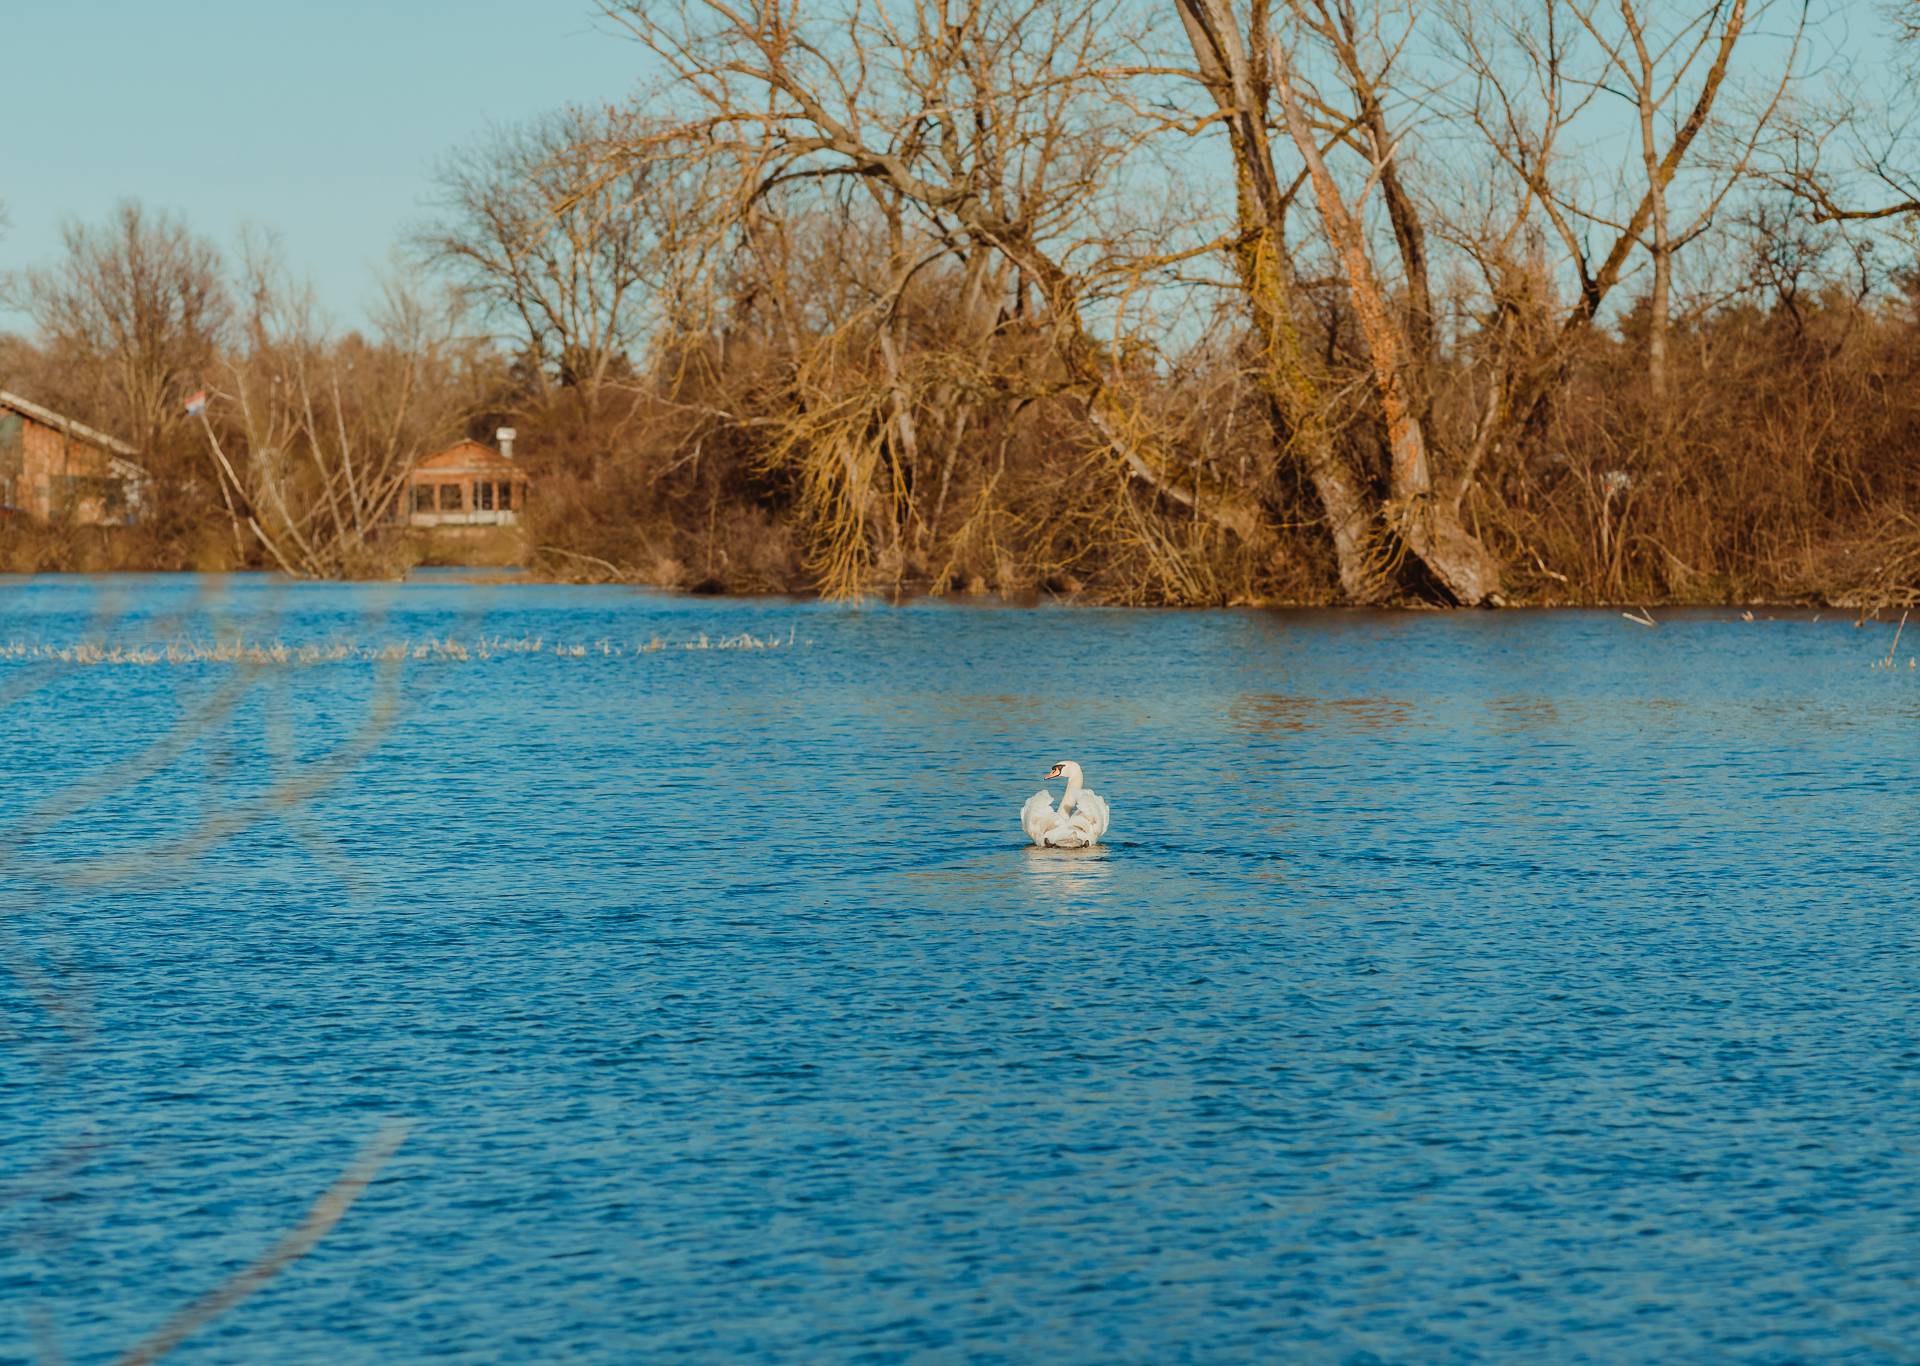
<point>322,120</point>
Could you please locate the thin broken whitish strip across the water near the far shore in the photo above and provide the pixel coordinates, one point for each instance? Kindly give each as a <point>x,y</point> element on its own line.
<point>243,652</point>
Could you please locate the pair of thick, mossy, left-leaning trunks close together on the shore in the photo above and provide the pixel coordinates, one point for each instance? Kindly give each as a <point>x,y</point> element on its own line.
<point>1257,70</point>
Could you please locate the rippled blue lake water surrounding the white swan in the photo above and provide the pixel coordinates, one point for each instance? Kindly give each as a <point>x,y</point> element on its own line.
<point>1497,987</point>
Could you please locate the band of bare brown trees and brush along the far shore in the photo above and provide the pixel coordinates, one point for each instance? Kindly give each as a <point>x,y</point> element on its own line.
<point>1305,301</point>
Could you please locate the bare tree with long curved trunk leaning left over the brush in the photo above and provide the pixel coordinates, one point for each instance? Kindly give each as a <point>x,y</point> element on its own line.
<point>994,124</point>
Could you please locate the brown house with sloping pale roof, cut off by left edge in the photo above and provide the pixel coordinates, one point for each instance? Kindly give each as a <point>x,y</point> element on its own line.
<point>62,472</point>
